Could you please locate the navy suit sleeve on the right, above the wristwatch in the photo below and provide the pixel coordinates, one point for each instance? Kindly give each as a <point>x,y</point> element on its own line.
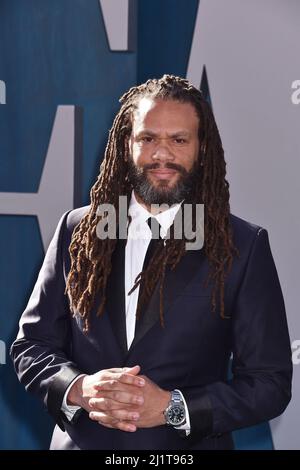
<point>260,387</point>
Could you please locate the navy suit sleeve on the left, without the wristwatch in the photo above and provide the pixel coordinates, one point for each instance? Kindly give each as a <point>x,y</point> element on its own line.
<point>42,349</point>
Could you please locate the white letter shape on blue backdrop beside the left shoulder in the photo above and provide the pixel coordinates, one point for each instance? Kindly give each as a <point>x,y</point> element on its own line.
<point>56,189</point>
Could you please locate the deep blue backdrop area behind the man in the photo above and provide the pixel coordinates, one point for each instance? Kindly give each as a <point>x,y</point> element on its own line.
<point>55,52</point>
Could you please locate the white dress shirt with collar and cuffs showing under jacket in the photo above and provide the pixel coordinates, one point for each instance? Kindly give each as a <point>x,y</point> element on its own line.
<point>138,239</point>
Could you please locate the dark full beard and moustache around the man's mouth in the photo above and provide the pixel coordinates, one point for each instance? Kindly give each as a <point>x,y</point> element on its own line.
<point>183,189</point>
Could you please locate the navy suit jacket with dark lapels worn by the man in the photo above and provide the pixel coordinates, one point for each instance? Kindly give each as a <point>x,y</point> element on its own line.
<point>192,352</point>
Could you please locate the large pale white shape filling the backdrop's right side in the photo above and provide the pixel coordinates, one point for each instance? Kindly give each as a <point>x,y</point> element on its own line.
<point>250,62</point>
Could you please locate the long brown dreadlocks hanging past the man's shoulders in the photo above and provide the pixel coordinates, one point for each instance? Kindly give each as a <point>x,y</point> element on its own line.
<point>91,257</point>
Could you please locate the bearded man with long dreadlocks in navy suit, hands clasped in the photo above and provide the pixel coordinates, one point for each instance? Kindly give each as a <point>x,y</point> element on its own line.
<point>137,355</point>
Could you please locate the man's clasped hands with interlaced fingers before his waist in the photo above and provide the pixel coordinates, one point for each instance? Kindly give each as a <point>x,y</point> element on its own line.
<point>120,398</point>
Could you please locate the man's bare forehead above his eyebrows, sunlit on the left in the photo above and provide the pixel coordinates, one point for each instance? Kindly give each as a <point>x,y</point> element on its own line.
<point>157,114</point>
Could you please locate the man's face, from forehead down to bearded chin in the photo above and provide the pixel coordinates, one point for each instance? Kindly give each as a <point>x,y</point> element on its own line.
<point>163,149</point>
